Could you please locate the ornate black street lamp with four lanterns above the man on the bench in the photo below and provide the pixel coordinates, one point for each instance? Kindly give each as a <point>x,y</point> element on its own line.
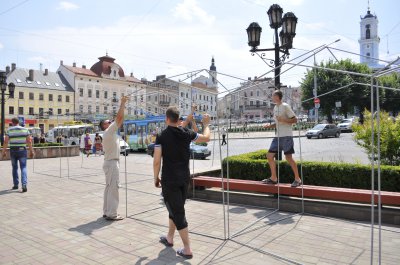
<point>283,40</point>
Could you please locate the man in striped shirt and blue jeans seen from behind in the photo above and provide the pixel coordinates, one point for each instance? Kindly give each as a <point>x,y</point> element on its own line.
<point>17,138</point>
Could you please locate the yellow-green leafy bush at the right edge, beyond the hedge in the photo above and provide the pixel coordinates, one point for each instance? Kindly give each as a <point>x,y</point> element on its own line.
<point>389,137</point>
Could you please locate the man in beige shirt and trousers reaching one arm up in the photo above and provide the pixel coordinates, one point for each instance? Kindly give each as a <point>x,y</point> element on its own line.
<point>112,151</point>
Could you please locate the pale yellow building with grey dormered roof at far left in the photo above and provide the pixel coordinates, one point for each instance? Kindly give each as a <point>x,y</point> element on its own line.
<point>44,99</point>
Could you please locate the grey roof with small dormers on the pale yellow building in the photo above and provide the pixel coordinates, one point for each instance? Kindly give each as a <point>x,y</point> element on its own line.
<point>53,81</point>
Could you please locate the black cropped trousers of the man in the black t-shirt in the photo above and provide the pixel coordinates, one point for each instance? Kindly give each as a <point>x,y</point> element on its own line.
<point>174,197</point>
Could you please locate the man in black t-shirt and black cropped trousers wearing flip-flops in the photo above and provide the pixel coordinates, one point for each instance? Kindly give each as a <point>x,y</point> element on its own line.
<point>172,146</point>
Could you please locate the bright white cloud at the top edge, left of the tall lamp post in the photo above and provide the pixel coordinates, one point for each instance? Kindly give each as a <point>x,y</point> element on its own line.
<point>189,10</point>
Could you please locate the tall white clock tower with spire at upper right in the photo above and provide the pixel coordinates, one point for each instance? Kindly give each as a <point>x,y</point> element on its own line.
<point>369,40</point>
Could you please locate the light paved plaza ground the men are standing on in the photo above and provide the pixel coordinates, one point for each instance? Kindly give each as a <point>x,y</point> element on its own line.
<point>58,221</point>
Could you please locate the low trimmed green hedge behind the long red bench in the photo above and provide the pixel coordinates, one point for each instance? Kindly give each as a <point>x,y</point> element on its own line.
<point>254,166</point>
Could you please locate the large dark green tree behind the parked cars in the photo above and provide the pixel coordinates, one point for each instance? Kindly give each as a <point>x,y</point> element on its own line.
<point>352,96</point>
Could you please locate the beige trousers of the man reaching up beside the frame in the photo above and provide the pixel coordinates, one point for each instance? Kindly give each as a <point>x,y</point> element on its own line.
<point>111,194</point>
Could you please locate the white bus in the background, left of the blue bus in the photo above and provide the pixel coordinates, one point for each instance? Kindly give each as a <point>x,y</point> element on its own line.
<point>73,133</point>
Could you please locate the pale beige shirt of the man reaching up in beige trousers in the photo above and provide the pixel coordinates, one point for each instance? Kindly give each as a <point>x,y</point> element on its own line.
<point>111,143</point>
